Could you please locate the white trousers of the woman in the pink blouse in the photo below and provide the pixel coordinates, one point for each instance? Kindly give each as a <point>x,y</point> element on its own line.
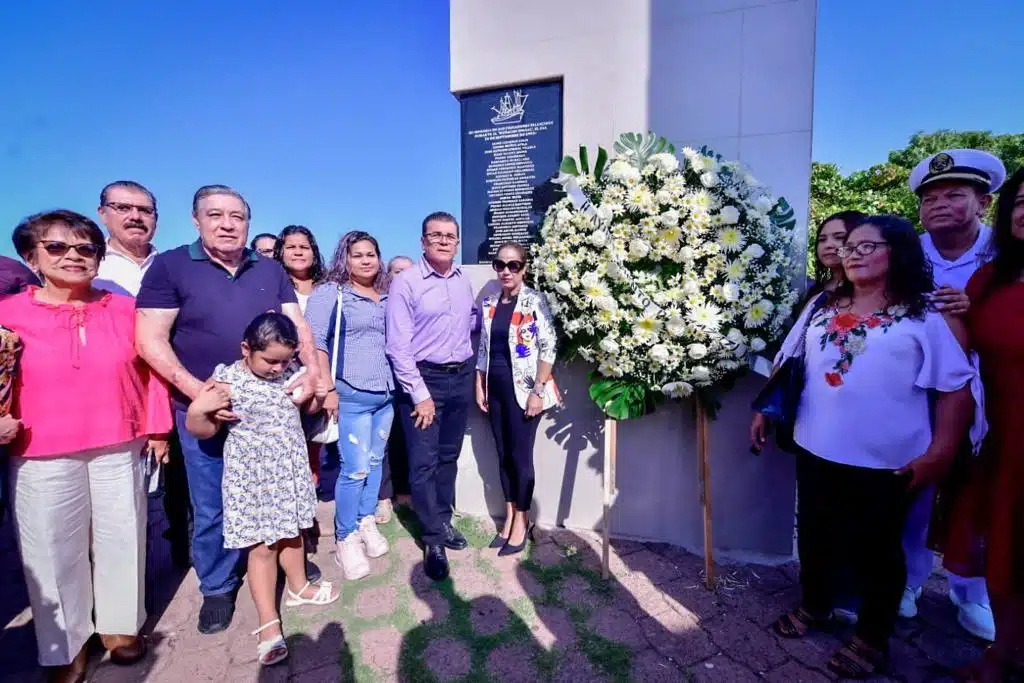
<point>66,509</point>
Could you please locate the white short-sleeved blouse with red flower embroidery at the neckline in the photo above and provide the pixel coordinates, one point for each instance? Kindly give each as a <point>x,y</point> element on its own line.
<point>866,402</point>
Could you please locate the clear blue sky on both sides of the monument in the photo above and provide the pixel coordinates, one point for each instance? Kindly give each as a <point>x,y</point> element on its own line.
<point>339,116</point>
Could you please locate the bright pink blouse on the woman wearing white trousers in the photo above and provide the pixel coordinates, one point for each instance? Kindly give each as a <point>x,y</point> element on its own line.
<point>81,385</point>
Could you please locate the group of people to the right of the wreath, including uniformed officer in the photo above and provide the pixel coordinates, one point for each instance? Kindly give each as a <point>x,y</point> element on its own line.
<point>906,438</point>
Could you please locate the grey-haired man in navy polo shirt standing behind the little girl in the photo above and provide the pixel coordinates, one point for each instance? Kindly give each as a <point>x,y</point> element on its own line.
<point>193,309</point>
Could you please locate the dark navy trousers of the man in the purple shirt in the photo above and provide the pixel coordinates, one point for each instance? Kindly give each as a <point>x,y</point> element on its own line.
<point>434,453</point>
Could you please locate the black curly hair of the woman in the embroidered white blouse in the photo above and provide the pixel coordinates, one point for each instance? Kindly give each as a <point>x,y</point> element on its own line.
<point>910,279</point>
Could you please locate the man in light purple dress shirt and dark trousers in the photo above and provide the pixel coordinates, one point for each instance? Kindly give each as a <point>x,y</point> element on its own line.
<point>431,316</point>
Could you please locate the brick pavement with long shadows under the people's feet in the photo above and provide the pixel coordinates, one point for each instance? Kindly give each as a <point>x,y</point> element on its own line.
<point>548,618</point>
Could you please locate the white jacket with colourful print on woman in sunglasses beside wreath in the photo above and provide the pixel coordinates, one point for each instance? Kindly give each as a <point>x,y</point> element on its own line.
<point>532,339</point>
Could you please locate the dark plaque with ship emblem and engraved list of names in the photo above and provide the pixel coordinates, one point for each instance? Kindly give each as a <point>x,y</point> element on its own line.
<point>511,150</point>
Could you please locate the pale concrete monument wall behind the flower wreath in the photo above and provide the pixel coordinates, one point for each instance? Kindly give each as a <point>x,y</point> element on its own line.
<point>737,75</point>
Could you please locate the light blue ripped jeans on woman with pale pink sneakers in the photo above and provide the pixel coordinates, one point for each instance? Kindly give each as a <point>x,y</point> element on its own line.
<point>364,426</point>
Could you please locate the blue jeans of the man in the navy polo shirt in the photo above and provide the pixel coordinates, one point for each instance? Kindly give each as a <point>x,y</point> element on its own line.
<point>220,571</point>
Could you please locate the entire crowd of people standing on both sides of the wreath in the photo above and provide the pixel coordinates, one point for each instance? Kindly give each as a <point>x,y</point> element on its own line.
<point>224,367</point>
